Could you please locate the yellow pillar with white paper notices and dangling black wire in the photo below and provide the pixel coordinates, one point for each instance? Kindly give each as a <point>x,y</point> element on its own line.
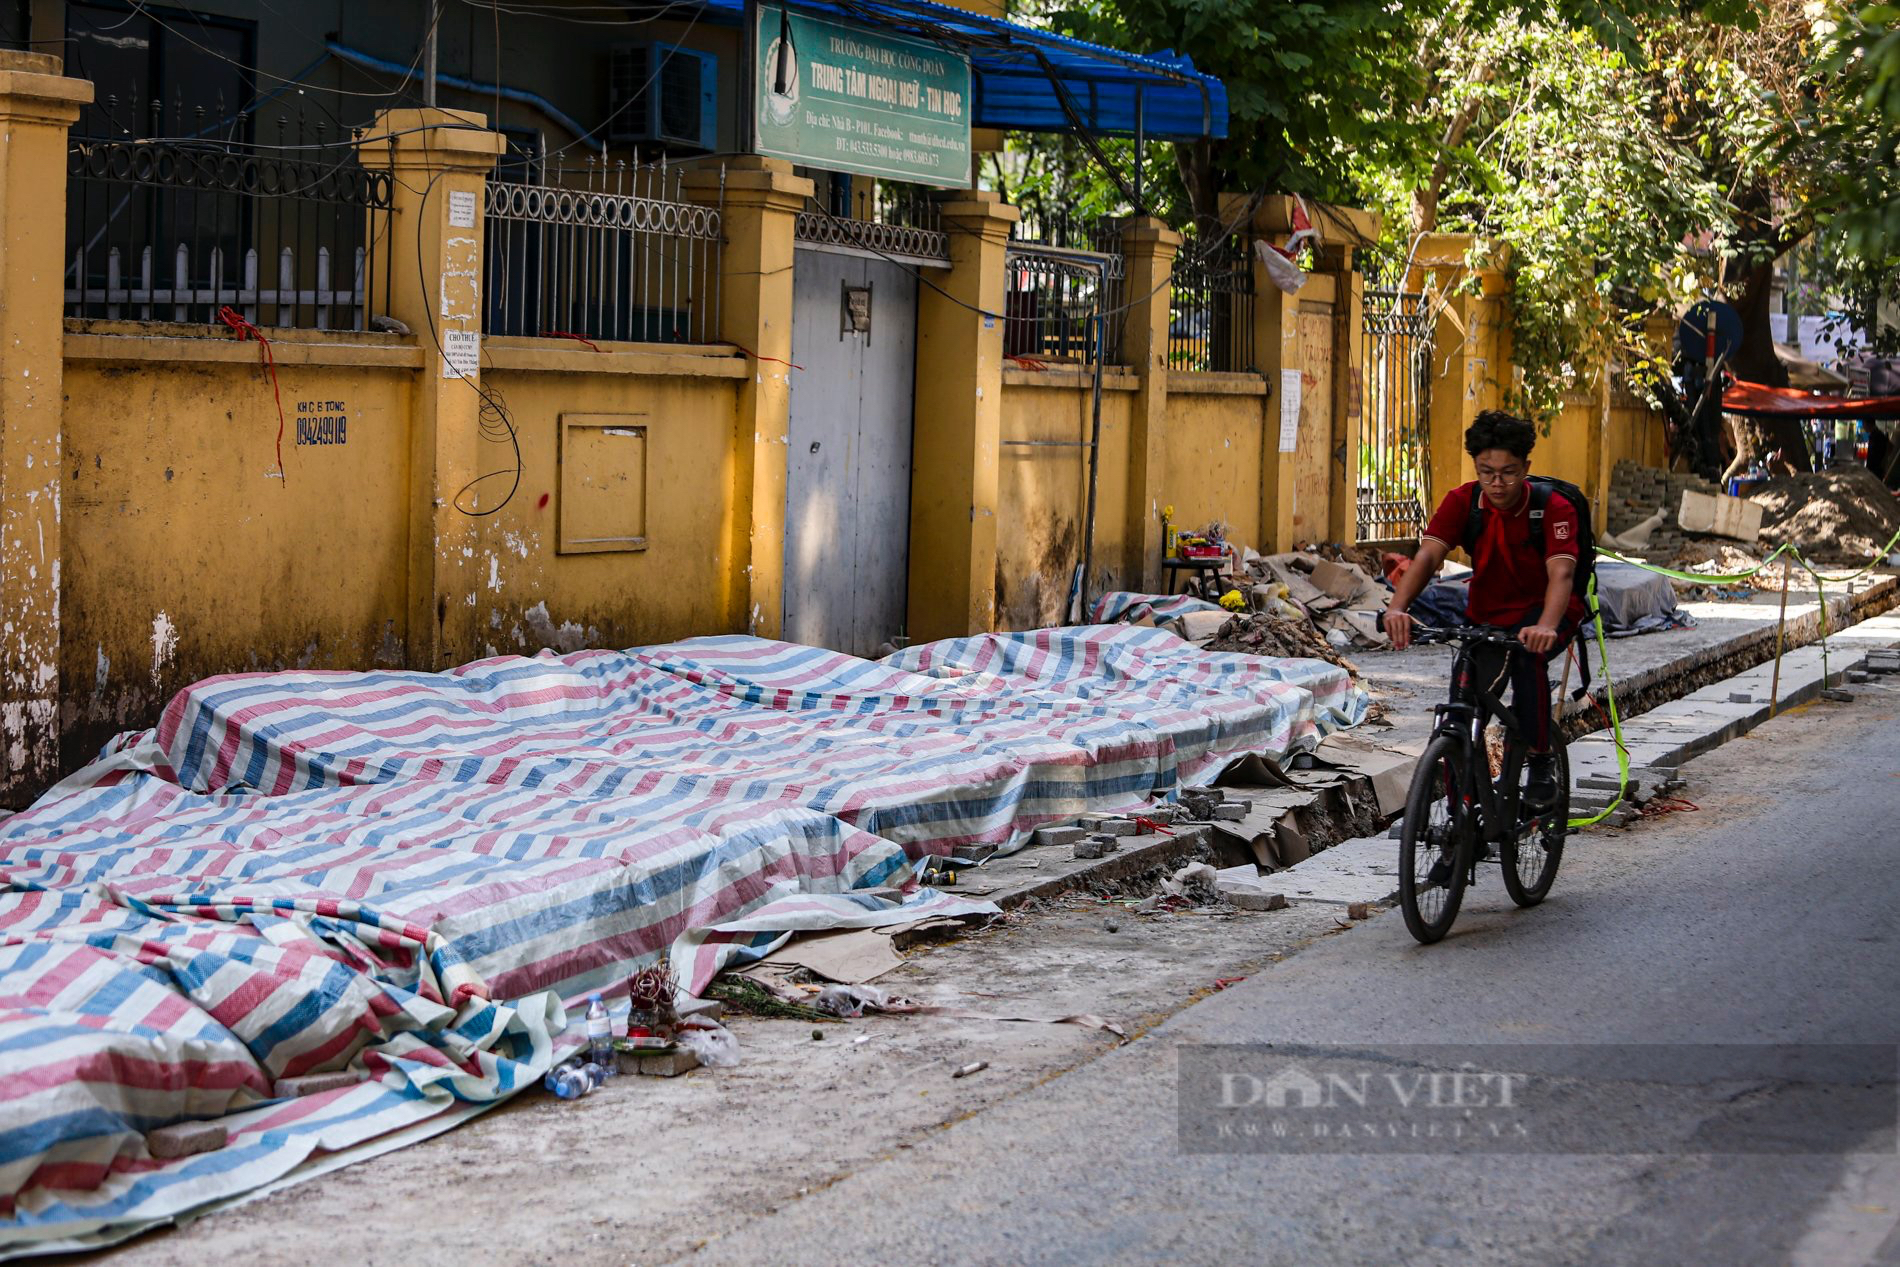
<point>440,162</point>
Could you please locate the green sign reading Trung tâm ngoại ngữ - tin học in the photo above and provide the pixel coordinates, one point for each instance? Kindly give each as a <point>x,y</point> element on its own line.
<point>852,100</point>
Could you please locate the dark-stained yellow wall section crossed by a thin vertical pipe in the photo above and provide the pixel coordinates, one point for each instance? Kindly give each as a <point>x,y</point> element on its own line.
<point>1044,495</point>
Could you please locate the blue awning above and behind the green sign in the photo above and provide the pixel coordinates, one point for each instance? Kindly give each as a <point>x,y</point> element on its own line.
<point>1038,81</point>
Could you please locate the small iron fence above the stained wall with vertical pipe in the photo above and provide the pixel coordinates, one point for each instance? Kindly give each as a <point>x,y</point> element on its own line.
<point>1061,274</point>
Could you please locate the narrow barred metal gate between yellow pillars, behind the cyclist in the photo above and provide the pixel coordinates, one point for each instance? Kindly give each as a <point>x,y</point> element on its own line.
<point>1394,480</point>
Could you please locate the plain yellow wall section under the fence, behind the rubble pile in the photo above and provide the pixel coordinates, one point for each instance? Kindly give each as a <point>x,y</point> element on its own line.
<point>1215,449</point>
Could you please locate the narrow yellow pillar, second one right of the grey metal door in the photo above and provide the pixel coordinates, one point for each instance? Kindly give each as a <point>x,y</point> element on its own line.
<point>1150,248</point>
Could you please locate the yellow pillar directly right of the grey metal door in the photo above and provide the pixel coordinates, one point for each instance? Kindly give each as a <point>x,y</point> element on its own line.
<point>959,426</point>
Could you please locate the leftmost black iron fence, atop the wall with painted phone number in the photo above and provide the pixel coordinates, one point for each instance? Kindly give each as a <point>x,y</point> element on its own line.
<point>178,229</point>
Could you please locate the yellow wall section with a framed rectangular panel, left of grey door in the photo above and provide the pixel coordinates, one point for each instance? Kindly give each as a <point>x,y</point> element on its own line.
<point>679,586</point>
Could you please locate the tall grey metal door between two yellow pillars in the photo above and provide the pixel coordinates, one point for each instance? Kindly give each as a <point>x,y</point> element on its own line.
<point>848,482</point>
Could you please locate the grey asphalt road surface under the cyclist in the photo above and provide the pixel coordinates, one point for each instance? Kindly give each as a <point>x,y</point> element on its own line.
<point>1762,930</point>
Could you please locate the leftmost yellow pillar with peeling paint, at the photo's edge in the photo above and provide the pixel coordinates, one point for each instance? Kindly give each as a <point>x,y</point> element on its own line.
<point>39,105</point>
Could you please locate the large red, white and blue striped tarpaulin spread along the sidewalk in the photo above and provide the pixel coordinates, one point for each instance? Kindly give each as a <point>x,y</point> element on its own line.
<point>406,875</point>
